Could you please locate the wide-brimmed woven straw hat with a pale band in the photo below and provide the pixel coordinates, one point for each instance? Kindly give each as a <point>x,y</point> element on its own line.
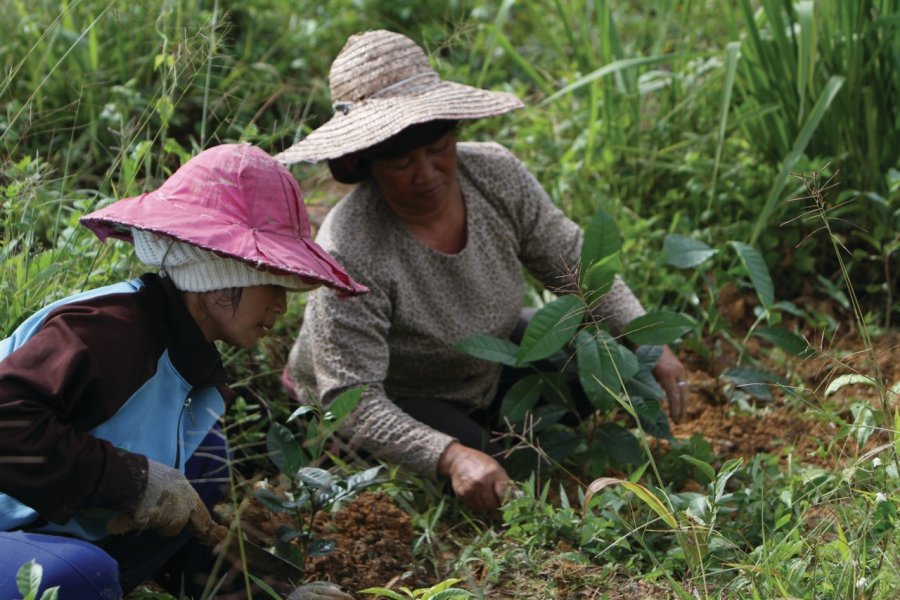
<point>381,83</point>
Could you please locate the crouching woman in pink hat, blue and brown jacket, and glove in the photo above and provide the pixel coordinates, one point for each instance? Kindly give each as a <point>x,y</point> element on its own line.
<point>110,399</point>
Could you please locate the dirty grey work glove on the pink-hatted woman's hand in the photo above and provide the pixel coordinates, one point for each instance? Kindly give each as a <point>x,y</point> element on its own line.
<point>166,506</point>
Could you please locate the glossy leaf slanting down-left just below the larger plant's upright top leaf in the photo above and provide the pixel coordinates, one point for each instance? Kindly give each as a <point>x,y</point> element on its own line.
<point>550,328</point>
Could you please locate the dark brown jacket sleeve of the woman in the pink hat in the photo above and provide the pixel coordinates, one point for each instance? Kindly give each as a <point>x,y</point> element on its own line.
<point>53,390</point>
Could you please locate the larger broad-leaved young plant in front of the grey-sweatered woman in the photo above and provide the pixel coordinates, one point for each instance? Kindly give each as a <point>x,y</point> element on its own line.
<point>578,368</point>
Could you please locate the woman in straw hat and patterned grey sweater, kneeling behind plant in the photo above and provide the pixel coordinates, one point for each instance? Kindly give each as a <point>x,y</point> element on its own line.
<point>439,231</point>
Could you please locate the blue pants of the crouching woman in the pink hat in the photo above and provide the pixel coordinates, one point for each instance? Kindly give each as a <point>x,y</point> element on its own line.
<point>108,567</point>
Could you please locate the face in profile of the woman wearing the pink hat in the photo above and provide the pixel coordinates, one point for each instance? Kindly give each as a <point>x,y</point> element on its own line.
<point>242,325</point>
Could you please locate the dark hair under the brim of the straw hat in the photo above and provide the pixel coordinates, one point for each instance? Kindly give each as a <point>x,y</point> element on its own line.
<point>354,168</point>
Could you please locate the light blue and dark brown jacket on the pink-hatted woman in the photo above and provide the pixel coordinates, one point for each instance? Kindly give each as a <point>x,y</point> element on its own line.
<point>91,387</point>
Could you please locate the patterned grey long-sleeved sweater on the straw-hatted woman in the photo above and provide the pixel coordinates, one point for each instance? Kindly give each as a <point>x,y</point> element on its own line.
<point>398,339</point>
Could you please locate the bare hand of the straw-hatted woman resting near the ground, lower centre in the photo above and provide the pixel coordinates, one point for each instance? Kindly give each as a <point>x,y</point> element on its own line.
<point>477,479</point>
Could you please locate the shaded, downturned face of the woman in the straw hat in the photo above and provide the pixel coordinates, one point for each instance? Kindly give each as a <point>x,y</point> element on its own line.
<point>421,179</point>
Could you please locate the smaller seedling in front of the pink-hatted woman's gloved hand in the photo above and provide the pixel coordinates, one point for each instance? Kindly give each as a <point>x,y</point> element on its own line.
<point>312,489</point>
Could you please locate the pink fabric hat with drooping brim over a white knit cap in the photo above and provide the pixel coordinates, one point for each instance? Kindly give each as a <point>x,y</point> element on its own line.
<point>238,202</point>
